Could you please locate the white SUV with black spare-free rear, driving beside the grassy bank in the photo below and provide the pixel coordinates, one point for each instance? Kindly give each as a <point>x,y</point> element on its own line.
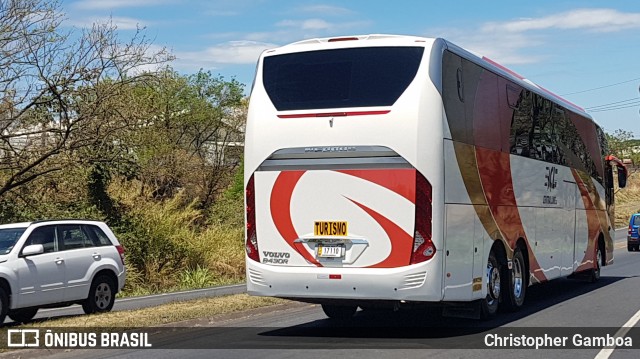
<point>58,263</point>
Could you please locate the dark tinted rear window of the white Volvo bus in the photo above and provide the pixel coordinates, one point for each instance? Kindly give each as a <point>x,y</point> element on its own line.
<point>354,77</point>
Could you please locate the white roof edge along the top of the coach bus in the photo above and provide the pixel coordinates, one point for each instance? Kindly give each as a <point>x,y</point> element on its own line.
<point>469,55</point>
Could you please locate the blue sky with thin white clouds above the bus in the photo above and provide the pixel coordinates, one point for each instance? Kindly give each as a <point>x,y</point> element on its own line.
<point>586,51</point>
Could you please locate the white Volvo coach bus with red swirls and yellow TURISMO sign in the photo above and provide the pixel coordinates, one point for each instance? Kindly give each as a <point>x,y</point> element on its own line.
<point>398,170</point>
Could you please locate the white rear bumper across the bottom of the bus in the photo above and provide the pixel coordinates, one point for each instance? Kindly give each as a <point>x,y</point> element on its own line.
<point>410,283</point>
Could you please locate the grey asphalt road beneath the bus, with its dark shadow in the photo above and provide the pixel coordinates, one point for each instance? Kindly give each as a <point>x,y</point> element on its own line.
<point>555,308</point>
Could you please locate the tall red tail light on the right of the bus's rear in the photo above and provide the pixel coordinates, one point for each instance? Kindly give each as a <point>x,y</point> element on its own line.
<point>423,247</point>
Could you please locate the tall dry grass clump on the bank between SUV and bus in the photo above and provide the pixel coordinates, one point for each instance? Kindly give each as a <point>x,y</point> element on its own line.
<point>181,249</point>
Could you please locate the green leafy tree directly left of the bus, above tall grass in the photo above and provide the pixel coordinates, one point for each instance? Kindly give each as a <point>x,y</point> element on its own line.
<point>184,129</point>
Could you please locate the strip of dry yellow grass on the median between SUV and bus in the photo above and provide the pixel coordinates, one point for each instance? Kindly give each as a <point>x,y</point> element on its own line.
<point>164,314</point>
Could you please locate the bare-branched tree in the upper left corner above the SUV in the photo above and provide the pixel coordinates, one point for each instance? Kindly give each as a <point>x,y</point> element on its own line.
<point>55,86</point>
